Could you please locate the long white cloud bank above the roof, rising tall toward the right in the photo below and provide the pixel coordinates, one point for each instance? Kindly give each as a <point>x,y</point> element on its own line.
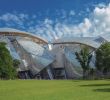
<point>98,23</point>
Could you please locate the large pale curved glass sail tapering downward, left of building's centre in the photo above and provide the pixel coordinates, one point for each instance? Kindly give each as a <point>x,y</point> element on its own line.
<point>40,56</point>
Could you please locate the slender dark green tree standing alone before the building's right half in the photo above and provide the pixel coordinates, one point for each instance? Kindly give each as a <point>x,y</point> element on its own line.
<point>84,58</point>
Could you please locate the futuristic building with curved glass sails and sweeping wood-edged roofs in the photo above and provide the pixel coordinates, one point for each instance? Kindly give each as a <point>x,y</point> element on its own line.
<point>42,60</point>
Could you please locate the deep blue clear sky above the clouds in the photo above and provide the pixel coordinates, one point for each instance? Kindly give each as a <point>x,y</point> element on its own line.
<point>48,8</point>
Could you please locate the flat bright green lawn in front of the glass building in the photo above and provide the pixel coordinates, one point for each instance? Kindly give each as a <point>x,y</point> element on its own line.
<point>55,90</point>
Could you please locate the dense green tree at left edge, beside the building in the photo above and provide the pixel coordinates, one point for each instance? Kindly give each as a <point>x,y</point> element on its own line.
<point>7,71</point>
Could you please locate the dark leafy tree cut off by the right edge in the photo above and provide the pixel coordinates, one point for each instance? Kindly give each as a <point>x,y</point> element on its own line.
<point>103,58</point>
